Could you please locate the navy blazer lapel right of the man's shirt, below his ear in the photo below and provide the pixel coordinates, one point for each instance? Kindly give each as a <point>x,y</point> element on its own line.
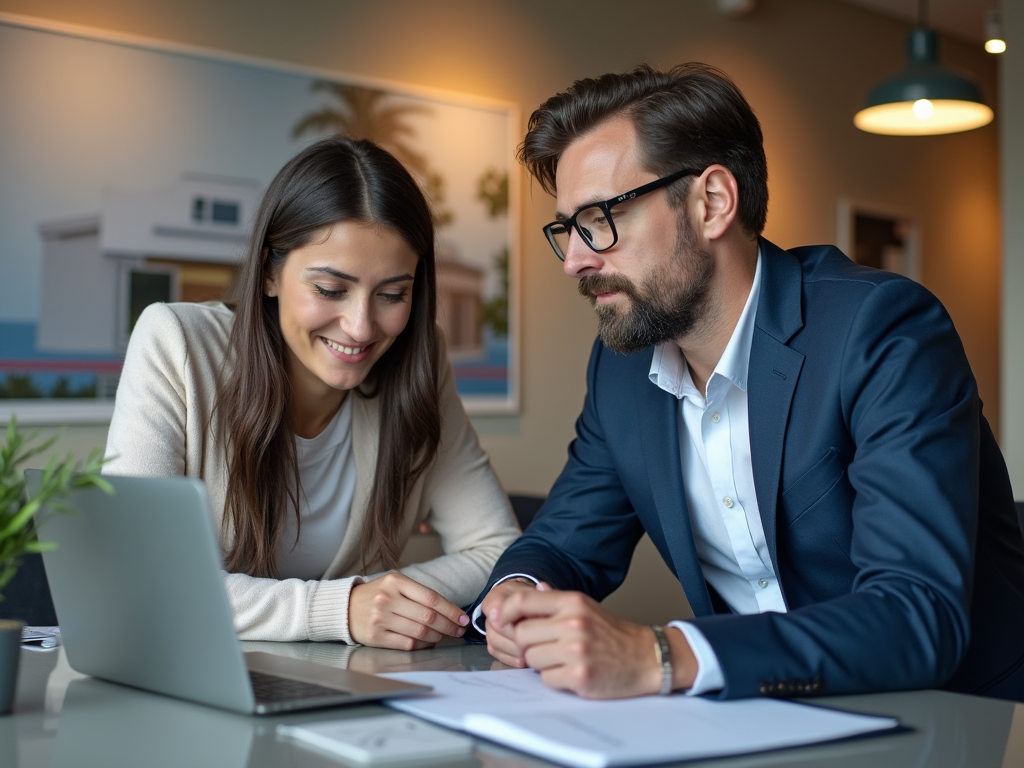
<point>775,371</point>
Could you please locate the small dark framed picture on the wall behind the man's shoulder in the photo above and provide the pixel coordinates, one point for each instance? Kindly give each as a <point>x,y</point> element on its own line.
<point>879,237</point>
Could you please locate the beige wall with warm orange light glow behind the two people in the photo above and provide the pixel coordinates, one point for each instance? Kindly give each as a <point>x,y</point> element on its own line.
<point>805,66</point>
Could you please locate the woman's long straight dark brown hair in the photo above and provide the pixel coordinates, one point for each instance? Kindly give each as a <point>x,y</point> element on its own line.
<point>336,180</point>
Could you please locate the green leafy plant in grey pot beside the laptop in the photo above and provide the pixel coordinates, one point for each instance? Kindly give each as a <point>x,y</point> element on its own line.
<point>18,535</point>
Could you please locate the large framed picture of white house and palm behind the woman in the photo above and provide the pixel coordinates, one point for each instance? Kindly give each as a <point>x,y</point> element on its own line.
<point>131,170</point>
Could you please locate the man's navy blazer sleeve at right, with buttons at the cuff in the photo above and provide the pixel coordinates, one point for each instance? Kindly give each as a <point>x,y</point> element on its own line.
<point>910,404</point>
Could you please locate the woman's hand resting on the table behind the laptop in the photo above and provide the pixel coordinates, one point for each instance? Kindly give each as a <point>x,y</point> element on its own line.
<point>395,612</point>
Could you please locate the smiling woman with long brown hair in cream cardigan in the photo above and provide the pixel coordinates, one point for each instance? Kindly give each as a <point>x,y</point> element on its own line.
<point>321,412</point>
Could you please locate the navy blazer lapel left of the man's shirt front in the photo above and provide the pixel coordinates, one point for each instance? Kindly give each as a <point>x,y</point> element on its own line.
<point>659,420</point>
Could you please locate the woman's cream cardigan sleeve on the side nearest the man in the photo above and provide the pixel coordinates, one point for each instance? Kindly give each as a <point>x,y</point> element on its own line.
<point>468,507</point>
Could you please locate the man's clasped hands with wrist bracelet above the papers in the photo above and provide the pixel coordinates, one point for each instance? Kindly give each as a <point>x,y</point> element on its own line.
<point>577,646</point>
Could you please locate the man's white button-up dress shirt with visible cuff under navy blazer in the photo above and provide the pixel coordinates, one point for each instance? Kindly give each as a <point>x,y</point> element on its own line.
<point>718,483</point>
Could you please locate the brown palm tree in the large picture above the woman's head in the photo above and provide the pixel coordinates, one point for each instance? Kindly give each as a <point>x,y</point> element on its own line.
<point>372,114</point>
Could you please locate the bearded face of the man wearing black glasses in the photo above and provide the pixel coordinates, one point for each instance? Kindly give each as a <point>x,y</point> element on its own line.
<point>654,285</point>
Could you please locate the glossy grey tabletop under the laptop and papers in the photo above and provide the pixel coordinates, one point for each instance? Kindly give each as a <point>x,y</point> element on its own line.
<point>65,720</point>
